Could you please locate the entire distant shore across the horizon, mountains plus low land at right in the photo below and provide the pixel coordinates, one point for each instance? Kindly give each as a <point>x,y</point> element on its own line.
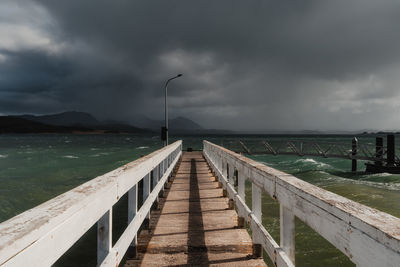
<point>82,122</point>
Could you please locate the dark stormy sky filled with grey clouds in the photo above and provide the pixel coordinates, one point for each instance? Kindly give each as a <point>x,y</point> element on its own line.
<point>246,65</point>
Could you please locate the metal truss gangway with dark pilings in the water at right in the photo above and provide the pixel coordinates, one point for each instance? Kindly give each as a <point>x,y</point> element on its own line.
<point>381,158</point>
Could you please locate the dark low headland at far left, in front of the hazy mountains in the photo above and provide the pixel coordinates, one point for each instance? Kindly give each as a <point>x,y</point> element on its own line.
<point>10,124</point>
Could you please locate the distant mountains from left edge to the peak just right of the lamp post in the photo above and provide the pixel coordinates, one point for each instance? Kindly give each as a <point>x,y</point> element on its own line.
<point>82,122</point>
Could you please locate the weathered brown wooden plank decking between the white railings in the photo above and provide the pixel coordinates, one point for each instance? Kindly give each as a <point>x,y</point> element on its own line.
<point>196,226</point>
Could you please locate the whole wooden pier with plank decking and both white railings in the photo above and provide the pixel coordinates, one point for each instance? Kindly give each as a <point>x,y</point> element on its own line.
<point>201,216</point>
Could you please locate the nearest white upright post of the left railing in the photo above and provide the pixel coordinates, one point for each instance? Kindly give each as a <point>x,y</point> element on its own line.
<point>104,236</point>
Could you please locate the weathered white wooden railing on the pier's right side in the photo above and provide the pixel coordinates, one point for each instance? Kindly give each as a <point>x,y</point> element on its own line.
<point>365,235</point>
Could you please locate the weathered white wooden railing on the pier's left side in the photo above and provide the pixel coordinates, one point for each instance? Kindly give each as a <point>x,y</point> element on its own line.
<point>39,236</point>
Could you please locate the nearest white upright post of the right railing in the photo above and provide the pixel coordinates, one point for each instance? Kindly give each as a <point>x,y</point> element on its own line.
<point>287,230</point>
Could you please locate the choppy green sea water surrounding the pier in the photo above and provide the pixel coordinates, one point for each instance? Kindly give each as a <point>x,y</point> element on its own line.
<point>35,168</point>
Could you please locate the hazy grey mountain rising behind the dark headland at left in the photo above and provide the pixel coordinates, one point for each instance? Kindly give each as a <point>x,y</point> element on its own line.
<point>69,118</point>
